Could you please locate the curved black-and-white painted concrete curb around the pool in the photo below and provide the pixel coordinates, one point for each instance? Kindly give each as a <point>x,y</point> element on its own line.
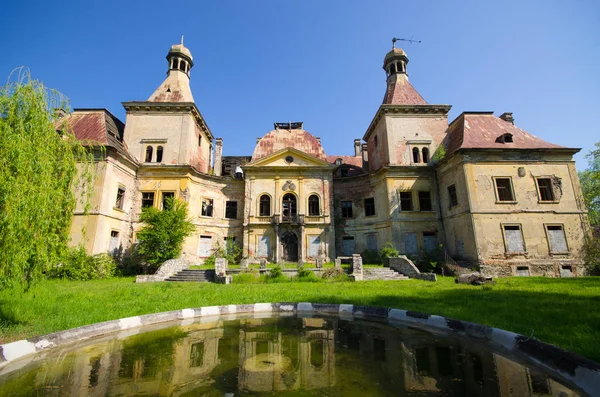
<point>581,371</point>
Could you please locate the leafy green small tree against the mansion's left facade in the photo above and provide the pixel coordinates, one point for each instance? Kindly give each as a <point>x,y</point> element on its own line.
<point>162,237</point>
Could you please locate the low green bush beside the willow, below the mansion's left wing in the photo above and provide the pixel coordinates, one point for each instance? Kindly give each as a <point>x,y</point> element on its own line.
<point>78,265</point>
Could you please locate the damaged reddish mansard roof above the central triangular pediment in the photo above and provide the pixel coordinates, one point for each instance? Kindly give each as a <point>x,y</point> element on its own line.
<point>288,135</point>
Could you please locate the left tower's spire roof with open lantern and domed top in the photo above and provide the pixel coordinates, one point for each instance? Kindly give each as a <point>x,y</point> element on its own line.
<point>176,87</point>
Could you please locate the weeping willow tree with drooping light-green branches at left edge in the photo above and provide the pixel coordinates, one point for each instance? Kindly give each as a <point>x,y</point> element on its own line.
<point>42,165</point>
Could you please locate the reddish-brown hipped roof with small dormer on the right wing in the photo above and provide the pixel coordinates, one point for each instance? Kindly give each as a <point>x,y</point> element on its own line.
<point>482,131</point>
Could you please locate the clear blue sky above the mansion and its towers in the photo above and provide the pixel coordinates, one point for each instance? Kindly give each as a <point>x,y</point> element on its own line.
<point>257,62</point>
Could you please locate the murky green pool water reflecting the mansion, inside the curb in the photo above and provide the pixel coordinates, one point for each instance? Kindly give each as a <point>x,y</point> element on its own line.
<point>290,356</point>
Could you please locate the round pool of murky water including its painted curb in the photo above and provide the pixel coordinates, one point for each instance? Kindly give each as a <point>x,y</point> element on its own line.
<point>292,349</point>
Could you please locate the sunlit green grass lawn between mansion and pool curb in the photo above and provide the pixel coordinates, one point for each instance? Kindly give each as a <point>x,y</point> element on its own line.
<point>563,312</point>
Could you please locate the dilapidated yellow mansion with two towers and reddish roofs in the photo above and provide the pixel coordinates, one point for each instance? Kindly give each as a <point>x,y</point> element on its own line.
<point>477,189</point>
